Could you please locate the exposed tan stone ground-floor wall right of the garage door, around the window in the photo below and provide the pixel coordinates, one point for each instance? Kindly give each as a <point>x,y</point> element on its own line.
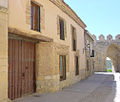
<point>47,68</point>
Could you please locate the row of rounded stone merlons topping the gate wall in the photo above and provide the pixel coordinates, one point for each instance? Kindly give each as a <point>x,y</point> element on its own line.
<point>108,38</point>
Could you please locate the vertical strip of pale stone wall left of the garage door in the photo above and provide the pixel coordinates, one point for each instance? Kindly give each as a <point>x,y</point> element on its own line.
<point>3,51</point>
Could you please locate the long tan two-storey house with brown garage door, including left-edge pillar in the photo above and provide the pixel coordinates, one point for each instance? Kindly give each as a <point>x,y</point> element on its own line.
<point>42,47</point>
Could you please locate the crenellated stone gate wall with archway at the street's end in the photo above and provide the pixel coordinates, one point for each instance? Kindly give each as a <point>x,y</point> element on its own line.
<point>104,48</point>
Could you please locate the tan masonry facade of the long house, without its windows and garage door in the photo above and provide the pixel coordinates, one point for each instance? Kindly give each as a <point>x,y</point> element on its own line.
<point>16,24</point>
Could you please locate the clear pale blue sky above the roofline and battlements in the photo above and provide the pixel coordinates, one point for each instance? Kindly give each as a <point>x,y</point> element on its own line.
<point>100,16</point>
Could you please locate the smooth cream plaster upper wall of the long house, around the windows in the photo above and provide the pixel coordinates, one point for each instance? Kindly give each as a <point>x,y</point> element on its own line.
<point>50,13</point>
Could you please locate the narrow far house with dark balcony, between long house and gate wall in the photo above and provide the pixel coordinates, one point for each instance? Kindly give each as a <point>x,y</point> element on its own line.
<point>89,51</point>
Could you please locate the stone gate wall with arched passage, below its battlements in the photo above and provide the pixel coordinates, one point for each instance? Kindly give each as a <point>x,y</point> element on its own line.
<point>104,50</point>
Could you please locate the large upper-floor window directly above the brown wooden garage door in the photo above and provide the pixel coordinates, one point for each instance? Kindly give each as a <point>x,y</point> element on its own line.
<point>35,17</point>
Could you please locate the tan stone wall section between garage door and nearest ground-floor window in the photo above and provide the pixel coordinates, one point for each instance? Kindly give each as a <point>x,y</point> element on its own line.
<point>46,75</point>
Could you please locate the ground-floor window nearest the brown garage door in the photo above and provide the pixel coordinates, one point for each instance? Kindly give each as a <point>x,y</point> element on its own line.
<point>62,67</point>
